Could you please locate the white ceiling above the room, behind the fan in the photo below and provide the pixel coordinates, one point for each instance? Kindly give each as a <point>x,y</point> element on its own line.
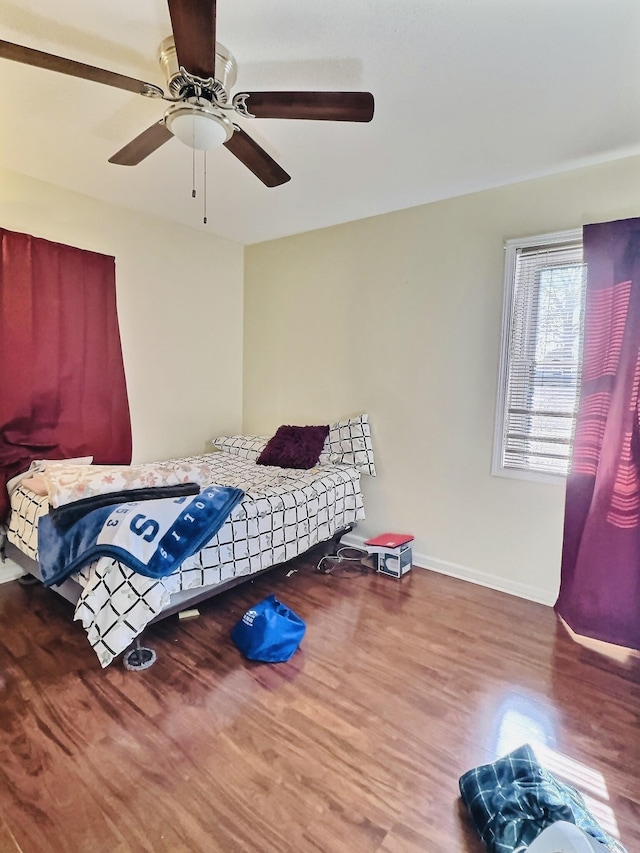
<point>469,94</point>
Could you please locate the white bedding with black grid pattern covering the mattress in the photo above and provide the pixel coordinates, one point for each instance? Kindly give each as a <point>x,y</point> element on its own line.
<point>284,513</point>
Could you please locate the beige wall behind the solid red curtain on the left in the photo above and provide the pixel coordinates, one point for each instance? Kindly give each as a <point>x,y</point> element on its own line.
<point>180,303</point>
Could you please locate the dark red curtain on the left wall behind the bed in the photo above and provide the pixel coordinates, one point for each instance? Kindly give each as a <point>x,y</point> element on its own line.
<point>62,383</point>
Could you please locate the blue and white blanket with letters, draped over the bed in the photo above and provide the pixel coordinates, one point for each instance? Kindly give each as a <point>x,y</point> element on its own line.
<point>151,537</point>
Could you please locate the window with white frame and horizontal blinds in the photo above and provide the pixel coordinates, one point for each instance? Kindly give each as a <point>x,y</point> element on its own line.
<point>541,357</point>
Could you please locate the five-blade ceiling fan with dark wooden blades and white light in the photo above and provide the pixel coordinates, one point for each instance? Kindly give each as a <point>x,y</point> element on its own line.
<point>199,75</point>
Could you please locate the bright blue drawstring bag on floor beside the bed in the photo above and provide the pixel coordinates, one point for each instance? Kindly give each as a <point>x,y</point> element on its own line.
<point>270,631</point>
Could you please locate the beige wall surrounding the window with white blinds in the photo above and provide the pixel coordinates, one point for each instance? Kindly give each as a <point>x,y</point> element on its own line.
<point>400,316</point>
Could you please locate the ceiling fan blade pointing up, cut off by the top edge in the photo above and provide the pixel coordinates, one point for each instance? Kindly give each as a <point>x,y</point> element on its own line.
<point>194,33</point>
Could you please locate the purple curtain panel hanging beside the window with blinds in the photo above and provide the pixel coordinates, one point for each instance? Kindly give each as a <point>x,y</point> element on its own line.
<point>600,577</point>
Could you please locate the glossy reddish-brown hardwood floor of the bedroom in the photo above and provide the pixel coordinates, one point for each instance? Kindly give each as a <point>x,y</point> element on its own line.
<point>354,745</point>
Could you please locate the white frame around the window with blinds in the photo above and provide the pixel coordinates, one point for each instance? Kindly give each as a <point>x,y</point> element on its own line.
<point>511,253</point>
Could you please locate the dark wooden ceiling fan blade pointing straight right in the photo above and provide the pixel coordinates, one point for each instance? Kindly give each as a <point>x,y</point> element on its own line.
<point>320,106</point>
